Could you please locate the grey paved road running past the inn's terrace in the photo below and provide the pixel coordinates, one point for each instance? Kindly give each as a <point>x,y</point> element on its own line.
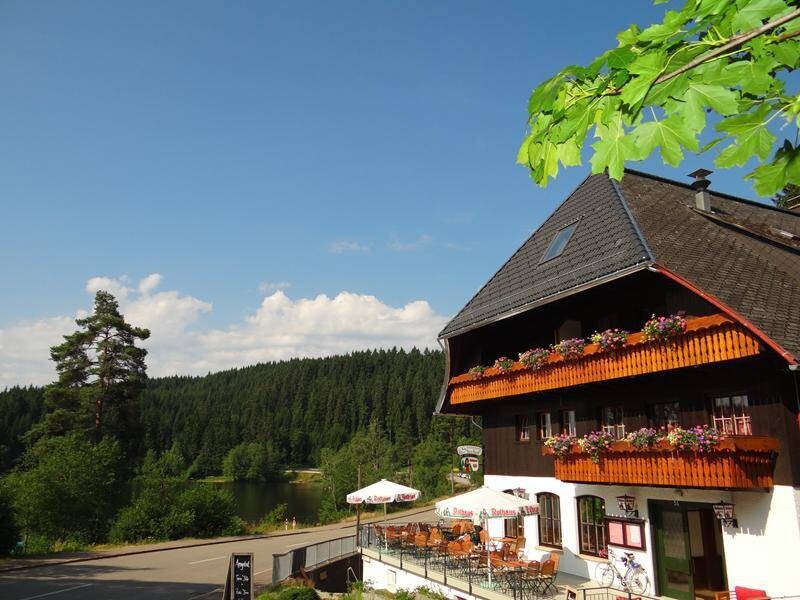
<point>185,573</point>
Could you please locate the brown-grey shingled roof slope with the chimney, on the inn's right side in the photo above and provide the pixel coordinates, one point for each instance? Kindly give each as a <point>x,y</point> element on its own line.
<point>735,254</point>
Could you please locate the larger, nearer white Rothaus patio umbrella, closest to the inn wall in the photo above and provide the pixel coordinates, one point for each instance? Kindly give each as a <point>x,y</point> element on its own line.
<point>483,504</point>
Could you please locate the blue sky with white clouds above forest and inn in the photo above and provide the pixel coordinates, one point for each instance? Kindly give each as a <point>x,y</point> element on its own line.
<point>261,180</point>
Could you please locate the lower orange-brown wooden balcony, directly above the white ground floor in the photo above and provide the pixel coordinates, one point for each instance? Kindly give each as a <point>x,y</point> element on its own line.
<point>739,463</point>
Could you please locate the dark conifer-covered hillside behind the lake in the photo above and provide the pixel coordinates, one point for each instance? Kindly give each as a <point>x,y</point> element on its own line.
<point>296,407</point>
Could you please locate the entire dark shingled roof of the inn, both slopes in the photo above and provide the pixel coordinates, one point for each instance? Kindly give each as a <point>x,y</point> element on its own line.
<point>742,254</point>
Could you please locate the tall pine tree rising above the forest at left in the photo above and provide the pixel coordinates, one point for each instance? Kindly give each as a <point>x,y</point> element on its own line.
<point>101,372</point>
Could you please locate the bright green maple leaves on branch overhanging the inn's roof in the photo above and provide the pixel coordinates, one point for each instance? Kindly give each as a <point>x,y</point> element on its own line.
<point>655,90</point>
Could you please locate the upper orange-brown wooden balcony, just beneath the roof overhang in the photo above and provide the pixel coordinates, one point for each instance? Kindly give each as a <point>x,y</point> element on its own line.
<point>711,339</point>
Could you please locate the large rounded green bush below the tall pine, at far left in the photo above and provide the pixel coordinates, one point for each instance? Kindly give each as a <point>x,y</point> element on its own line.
<point>67,488</point>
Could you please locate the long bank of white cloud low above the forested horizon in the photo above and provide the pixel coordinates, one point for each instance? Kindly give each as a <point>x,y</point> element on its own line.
<point>280,328</point>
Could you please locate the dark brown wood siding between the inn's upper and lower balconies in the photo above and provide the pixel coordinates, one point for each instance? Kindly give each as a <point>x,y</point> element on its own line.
<point>767,383</point>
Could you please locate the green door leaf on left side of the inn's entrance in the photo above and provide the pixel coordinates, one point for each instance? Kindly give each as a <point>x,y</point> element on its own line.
<point>673,555</point>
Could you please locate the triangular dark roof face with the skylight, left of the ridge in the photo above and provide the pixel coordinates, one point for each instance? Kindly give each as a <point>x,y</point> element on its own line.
<point>604,243</point>
